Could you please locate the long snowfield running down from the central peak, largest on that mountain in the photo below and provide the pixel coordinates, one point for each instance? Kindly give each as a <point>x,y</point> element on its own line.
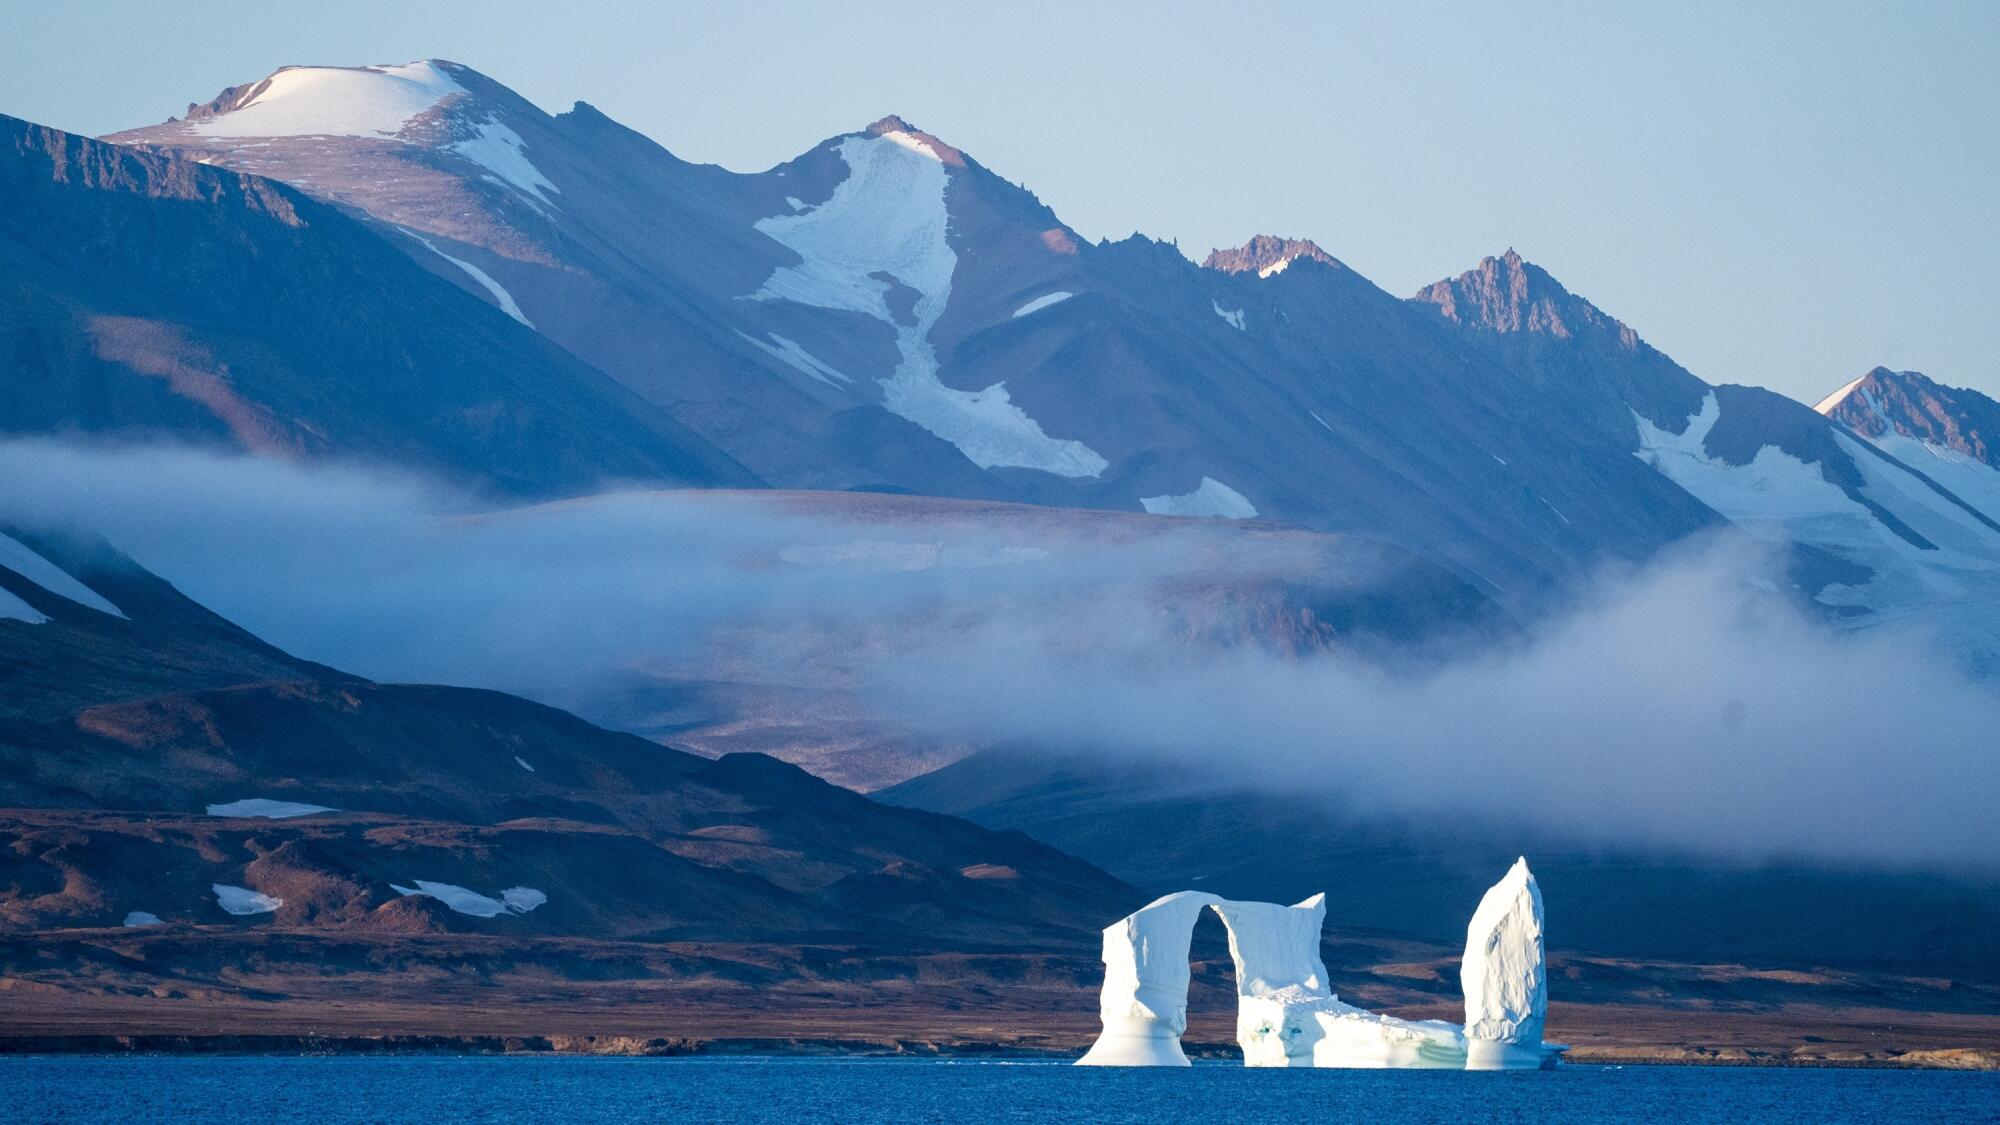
<point>889,217</point>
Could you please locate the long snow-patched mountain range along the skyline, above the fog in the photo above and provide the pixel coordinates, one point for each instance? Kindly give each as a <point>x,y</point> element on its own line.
<point>887,313</point>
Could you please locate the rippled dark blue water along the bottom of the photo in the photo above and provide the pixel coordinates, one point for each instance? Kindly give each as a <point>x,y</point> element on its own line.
<point>959,1092</point>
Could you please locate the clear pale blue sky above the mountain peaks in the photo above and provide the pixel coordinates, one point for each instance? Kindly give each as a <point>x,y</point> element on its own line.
<point>1771,193</point>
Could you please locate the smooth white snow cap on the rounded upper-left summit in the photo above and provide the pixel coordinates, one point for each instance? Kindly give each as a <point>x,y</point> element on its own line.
<point>331,101</point>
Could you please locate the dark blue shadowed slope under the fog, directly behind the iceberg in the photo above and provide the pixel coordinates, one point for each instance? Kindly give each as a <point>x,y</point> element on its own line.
<point>1407,876</point>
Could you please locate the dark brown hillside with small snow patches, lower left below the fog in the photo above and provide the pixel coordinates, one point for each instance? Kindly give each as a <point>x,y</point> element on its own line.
<point>149,748</point>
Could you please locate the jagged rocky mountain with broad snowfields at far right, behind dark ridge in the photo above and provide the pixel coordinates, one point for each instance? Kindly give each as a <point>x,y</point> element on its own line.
<point>1877,525</point>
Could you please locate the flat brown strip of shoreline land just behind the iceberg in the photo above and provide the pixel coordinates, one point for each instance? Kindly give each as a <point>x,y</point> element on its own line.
<point>269,990</point>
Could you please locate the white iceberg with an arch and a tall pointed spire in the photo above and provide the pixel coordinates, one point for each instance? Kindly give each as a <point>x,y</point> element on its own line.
<point>1287,1016</point>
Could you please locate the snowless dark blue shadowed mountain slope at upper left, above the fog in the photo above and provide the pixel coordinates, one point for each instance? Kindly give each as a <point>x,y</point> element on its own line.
<point>151,297</point>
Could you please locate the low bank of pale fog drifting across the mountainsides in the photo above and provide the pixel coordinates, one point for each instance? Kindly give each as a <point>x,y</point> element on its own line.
<point>1679,706</point>
